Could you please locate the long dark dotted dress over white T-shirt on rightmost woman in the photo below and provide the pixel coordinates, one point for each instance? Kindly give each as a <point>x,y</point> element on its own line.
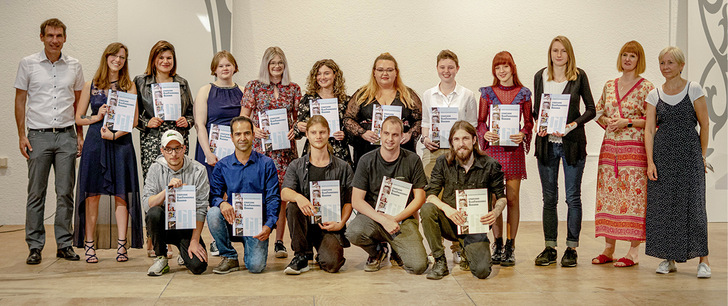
<point>676,220</point>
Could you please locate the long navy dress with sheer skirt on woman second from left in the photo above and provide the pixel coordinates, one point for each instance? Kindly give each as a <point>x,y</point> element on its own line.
<point>107,167</point>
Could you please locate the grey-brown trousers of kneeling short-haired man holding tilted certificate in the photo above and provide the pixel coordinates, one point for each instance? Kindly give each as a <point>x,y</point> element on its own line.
<point>367,233</point>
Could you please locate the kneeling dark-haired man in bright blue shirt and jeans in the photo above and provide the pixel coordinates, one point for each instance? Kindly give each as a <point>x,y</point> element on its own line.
<point>246,171</point>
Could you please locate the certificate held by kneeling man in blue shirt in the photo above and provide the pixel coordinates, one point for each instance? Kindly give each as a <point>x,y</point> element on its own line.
<point>248,214</point>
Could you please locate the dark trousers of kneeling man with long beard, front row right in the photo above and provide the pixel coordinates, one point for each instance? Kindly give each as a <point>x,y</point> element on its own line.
<point>437,226</point>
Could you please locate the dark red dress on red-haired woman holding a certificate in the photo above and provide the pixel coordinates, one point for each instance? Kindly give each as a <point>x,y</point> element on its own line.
<point>511,158</point>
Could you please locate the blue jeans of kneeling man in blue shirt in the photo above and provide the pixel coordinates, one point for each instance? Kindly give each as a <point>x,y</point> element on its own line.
<point>256,251</point>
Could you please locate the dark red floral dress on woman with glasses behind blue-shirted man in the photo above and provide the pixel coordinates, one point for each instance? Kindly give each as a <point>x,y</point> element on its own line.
<point>260,97</point>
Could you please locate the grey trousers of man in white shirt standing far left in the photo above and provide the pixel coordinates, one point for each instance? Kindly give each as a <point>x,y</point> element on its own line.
<point>57,150</point>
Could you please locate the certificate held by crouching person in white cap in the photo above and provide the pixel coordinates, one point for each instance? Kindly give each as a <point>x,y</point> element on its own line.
<point>181,207</point>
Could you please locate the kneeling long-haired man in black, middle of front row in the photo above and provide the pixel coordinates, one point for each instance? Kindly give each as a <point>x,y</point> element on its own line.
<point>327,237</point>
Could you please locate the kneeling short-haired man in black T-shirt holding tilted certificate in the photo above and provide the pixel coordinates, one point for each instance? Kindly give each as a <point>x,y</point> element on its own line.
<point>369,228</point>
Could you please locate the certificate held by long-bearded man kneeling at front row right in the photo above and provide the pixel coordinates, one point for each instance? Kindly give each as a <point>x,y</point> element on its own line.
<point>473,203</point>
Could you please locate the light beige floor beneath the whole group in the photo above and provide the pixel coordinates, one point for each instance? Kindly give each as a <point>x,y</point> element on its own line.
<point>62,282</point>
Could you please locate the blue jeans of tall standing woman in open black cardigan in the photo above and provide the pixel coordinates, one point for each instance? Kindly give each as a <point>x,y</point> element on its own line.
<point>549,172</point>
